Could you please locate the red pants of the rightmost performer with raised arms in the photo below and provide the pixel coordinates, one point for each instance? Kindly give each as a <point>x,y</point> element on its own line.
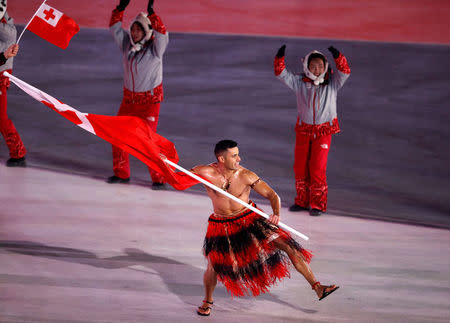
<point>310,167</point>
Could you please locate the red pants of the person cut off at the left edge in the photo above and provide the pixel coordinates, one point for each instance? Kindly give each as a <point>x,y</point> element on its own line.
<point>9,132</point>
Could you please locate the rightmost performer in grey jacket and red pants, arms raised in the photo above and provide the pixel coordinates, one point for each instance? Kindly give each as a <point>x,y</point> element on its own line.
<point>316,92</point>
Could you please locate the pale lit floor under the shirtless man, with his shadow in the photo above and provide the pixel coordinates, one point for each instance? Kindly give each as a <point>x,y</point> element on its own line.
<point>76,249</point>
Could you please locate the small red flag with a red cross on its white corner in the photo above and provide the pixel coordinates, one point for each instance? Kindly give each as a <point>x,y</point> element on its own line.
<point>53,25</point>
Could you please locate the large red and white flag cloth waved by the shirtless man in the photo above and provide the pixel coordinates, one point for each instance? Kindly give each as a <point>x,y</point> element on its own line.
<point>131,134</point>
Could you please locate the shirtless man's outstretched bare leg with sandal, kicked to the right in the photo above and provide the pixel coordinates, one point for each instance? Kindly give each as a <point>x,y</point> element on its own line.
<point>303,267</point>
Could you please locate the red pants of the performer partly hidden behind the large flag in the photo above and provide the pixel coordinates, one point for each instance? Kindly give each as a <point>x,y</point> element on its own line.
<point>147,111</point>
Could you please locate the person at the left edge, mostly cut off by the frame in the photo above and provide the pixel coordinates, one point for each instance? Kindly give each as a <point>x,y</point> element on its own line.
<point>8,49</point>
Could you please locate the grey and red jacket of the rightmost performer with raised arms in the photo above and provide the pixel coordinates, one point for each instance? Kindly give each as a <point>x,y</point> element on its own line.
<point>316,104</point>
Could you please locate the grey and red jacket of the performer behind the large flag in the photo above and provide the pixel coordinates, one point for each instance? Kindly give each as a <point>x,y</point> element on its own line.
<point>142,69</point>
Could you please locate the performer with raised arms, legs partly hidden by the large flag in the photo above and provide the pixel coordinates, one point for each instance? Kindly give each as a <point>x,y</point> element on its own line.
<point>142,49</point>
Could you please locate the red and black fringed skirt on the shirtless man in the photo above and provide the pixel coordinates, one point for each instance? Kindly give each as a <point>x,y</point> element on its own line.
<point>241,251</point>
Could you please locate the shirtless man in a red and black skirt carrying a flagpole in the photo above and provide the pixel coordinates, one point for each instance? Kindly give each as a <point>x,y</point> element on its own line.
<point>246,252</point>
